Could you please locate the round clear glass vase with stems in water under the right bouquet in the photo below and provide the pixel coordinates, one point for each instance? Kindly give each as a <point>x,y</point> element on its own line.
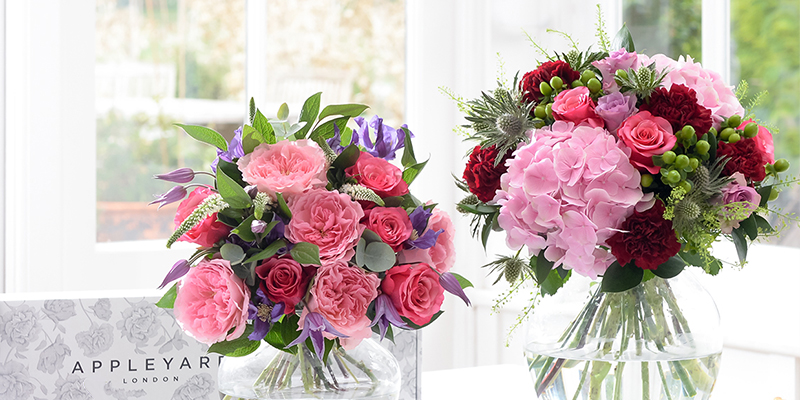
<point>659,340</point>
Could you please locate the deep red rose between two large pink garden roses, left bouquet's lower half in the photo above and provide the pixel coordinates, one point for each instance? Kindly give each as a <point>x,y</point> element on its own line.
<point>284,280</point>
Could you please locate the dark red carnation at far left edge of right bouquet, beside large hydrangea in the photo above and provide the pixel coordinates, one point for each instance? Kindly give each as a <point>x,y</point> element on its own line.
<point>482,176</point>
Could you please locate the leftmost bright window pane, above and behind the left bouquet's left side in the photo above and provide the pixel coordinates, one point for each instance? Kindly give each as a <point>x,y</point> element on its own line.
<point>160,62</point>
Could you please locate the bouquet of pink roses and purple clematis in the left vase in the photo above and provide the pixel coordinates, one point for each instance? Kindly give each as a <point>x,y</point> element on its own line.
<point>307,231</point>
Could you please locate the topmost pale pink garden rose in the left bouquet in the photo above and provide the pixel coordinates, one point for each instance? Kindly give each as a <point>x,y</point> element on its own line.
<point>288,167</point>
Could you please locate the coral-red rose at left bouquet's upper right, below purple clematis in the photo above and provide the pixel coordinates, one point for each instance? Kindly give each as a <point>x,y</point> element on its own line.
<point>379,175</point>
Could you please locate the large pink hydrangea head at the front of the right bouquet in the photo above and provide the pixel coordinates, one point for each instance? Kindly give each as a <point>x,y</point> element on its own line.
<point>568,191</point>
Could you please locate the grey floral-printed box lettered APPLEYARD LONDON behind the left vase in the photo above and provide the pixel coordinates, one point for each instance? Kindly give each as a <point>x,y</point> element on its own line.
<point>72,347</point>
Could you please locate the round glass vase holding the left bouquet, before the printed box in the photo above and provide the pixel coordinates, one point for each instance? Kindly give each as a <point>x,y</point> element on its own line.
<point>368,371</point>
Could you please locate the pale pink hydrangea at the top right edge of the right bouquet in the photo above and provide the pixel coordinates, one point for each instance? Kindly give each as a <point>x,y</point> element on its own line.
<point>712,92</point>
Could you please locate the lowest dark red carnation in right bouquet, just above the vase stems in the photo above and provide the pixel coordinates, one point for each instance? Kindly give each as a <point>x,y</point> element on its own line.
<point>647,239</point>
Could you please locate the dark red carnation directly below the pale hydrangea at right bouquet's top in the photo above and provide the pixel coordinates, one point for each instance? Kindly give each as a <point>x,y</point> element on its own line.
<point>678,105</point>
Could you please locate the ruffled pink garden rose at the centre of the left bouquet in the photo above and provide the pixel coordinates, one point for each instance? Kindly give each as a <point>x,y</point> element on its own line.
<point>329,220</point>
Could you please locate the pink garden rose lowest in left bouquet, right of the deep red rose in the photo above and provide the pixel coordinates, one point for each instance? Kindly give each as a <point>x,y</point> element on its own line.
<point>342,293</point>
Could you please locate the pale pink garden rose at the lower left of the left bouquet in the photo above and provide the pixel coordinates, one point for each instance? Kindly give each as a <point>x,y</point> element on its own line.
<point>211,301</point>
